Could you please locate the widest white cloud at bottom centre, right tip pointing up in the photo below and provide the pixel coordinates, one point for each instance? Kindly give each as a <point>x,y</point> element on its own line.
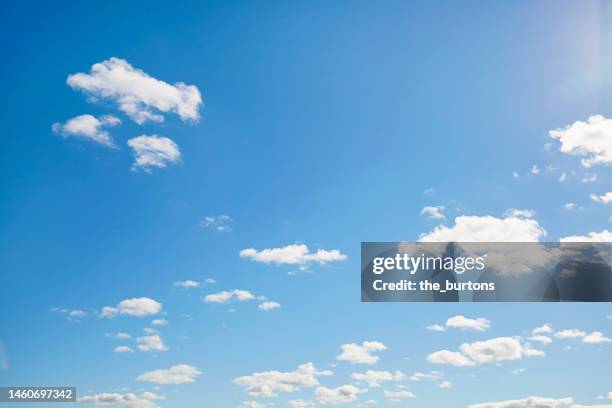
<point>269,383</point>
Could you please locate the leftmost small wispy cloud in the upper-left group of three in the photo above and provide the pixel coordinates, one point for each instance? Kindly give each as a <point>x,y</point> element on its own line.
<point>88,127</point>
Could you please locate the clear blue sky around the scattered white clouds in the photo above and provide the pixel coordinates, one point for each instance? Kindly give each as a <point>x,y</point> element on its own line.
<point>323,124</point>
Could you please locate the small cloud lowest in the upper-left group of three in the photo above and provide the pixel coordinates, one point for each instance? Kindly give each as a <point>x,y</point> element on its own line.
<point>153,151</point>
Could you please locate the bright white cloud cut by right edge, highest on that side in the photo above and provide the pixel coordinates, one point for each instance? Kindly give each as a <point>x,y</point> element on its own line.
<point>591,139</point>
